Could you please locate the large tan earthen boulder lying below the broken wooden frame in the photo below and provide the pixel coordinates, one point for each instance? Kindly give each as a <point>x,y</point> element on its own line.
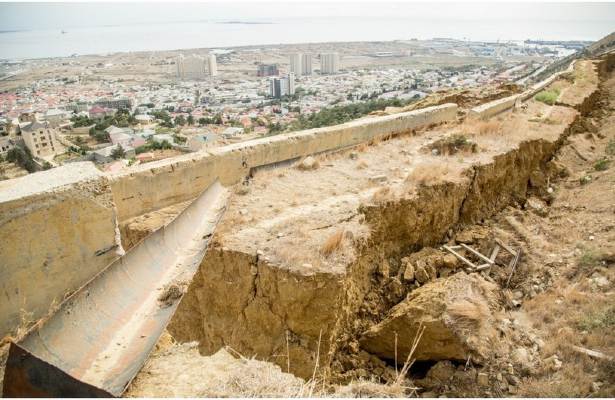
<point>457,313</point>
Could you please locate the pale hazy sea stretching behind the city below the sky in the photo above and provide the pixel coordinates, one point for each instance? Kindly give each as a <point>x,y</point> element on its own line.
<point>111,38</point>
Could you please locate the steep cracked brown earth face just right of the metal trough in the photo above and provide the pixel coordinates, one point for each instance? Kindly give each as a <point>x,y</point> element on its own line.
<point>240,301</point>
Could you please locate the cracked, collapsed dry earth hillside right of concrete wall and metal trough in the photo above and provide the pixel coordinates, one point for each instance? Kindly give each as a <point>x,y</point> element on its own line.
<point>332,267</point>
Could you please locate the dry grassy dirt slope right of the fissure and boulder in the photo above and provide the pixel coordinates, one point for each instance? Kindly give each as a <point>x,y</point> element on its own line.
<point>562,300</point>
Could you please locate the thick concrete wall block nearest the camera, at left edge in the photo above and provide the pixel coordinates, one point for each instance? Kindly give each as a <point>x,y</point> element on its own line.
<point>58,229</point>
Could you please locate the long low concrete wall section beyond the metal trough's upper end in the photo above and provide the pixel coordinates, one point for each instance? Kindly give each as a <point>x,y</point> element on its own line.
<point>160,184</point>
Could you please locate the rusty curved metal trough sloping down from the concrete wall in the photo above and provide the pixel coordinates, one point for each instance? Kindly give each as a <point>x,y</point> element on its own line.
<point>100,337</point>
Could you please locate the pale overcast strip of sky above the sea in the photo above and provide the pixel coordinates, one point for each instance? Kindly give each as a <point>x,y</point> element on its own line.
<point>33,16</point>
